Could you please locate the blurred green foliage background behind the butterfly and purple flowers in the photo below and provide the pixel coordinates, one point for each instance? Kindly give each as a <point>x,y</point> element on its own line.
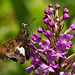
<point>15,12</point>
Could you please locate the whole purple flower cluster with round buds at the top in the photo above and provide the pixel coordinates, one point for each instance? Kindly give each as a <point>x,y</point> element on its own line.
<point>49,54</point>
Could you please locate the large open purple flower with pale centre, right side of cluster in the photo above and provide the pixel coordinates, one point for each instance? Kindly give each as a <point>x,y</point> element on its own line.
<point>64,42</point>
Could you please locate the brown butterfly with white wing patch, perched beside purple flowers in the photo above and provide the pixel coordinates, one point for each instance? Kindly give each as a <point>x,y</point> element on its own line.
<point>17,48</point>
